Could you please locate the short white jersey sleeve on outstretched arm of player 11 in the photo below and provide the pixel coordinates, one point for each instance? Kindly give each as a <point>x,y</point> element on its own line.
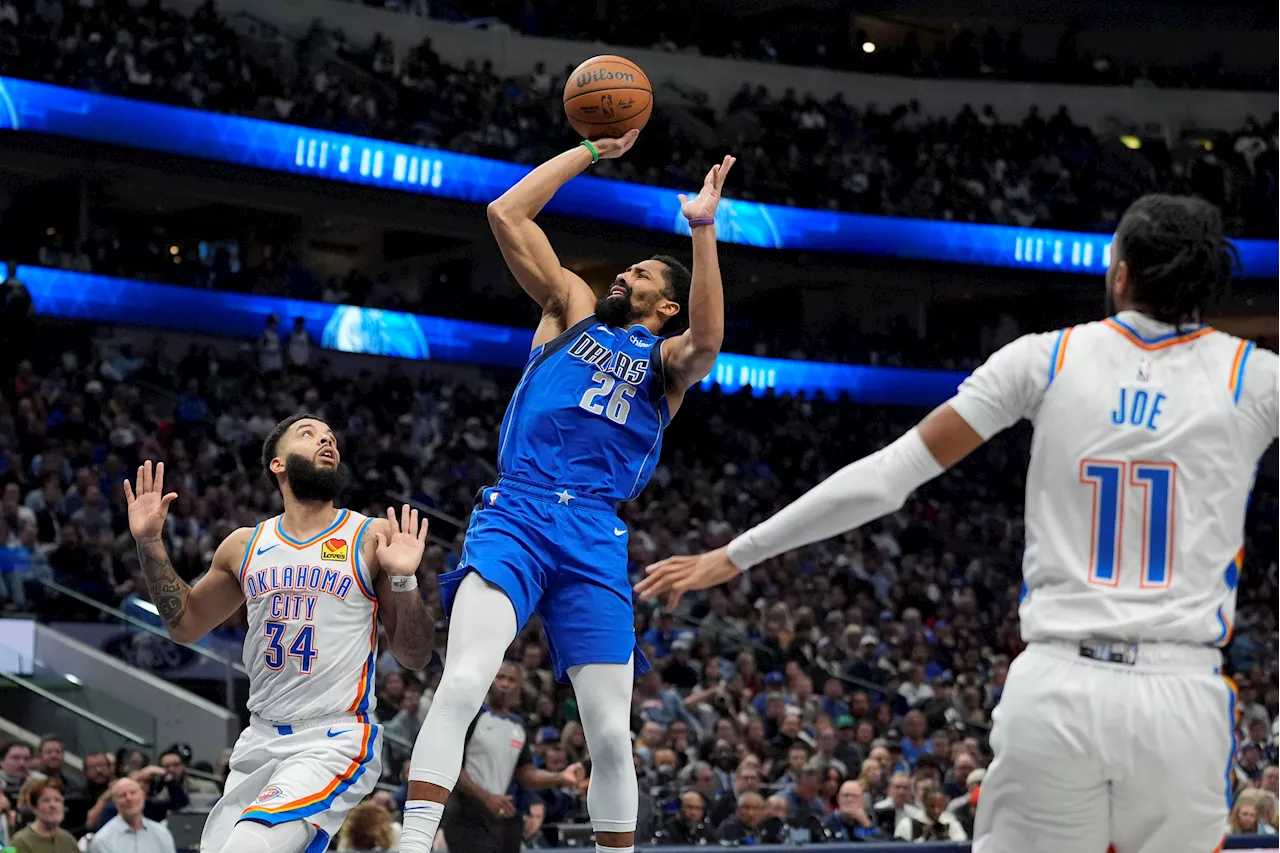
<point>1011,385</point>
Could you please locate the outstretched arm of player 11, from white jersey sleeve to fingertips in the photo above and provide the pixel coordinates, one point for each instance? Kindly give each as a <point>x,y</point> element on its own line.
<point>995,398</point>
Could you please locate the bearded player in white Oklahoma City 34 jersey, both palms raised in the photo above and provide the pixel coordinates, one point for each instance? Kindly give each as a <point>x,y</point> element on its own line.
<point>314,581</point>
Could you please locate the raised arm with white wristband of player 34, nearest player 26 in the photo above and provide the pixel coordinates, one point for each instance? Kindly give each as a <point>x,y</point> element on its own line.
<point>397,553</point>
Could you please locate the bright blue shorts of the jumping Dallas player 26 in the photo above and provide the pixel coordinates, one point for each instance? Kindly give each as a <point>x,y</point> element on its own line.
<point>563,556</point>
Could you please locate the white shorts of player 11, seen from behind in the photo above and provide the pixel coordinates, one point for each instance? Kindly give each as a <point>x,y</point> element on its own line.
<point>1133,750</point>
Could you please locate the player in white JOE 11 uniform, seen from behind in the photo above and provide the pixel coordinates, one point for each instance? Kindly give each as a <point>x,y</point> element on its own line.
<point>1116,726</point>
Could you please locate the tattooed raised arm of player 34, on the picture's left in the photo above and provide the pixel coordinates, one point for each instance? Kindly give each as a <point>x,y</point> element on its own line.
<point>189,613</point>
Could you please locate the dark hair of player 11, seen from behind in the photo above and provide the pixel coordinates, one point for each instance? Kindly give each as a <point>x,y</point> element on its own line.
<point>1178,256</point>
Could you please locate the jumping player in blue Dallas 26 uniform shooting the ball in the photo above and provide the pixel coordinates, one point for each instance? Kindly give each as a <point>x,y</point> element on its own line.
<point>582,434</point>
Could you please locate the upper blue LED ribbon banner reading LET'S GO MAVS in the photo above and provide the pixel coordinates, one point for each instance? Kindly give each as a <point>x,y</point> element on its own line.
<point>40,108</point>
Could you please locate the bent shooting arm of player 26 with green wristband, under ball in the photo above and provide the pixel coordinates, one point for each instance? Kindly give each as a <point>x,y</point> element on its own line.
<point>525,248</point>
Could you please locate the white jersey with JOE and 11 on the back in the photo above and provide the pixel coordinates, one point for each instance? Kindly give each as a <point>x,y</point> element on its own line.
<point>1148,440</point>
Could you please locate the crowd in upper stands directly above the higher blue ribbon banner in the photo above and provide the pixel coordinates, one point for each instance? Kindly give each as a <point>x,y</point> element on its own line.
<point>793,149</point>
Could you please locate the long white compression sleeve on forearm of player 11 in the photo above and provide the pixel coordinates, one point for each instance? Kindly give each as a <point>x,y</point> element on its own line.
<point>853,496</point>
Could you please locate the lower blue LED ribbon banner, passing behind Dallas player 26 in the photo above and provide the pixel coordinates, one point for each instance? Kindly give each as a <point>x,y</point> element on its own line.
<point>349,329</point>
